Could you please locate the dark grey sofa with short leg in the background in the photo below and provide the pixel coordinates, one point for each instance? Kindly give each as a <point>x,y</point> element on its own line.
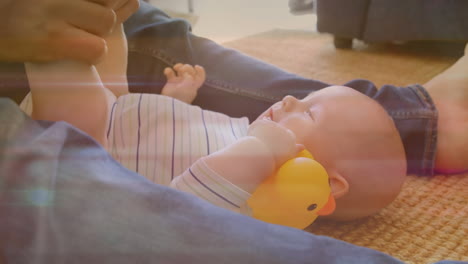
<point>392,20</point>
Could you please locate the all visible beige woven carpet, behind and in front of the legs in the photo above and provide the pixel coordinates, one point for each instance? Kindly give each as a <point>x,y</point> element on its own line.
<point>428,221</point>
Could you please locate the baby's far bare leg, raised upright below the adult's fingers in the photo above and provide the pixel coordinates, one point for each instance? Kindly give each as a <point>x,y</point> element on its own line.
<point>113,68</point>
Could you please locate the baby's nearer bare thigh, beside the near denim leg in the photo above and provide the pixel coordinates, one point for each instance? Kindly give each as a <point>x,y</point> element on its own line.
<point>72,92</point>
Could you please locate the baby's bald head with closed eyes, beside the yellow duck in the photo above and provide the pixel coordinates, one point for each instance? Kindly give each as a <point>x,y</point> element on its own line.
<point>356,141</point>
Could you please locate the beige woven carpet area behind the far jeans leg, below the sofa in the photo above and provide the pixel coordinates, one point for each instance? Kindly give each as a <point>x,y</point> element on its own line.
<point>313,55</point>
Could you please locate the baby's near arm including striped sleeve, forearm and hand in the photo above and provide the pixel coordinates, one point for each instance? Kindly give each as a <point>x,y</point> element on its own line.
<point>227,177</point>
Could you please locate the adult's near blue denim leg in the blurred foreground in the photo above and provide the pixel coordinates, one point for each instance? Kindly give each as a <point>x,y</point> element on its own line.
<point>63,199</point>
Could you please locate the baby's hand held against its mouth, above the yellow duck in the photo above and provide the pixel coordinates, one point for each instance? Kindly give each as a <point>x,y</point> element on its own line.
<point>280,140</point>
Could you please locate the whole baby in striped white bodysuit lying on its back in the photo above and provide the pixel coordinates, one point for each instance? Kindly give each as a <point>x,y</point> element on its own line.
<point>213,156</point>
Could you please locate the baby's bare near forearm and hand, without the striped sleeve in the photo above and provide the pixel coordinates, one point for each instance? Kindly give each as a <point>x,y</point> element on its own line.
<point>250,160</point>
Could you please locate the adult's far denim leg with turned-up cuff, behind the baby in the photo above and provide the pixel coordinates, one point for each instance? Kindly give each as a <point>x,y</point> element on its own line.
<point>239,85</point>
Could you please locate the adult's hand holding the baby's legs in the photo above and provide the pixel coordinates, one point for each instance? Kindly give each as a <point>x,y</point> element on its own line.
<point>46,30</point>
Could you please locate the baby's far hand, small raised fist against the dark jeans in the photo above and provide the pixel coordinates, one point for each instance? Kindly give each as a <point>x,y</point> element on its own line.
<point>183,81</point>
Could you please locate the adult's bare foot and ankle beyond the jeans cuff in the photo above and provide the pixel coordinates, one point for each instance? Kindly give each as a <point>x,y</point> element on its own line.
<point>450,93</point>
